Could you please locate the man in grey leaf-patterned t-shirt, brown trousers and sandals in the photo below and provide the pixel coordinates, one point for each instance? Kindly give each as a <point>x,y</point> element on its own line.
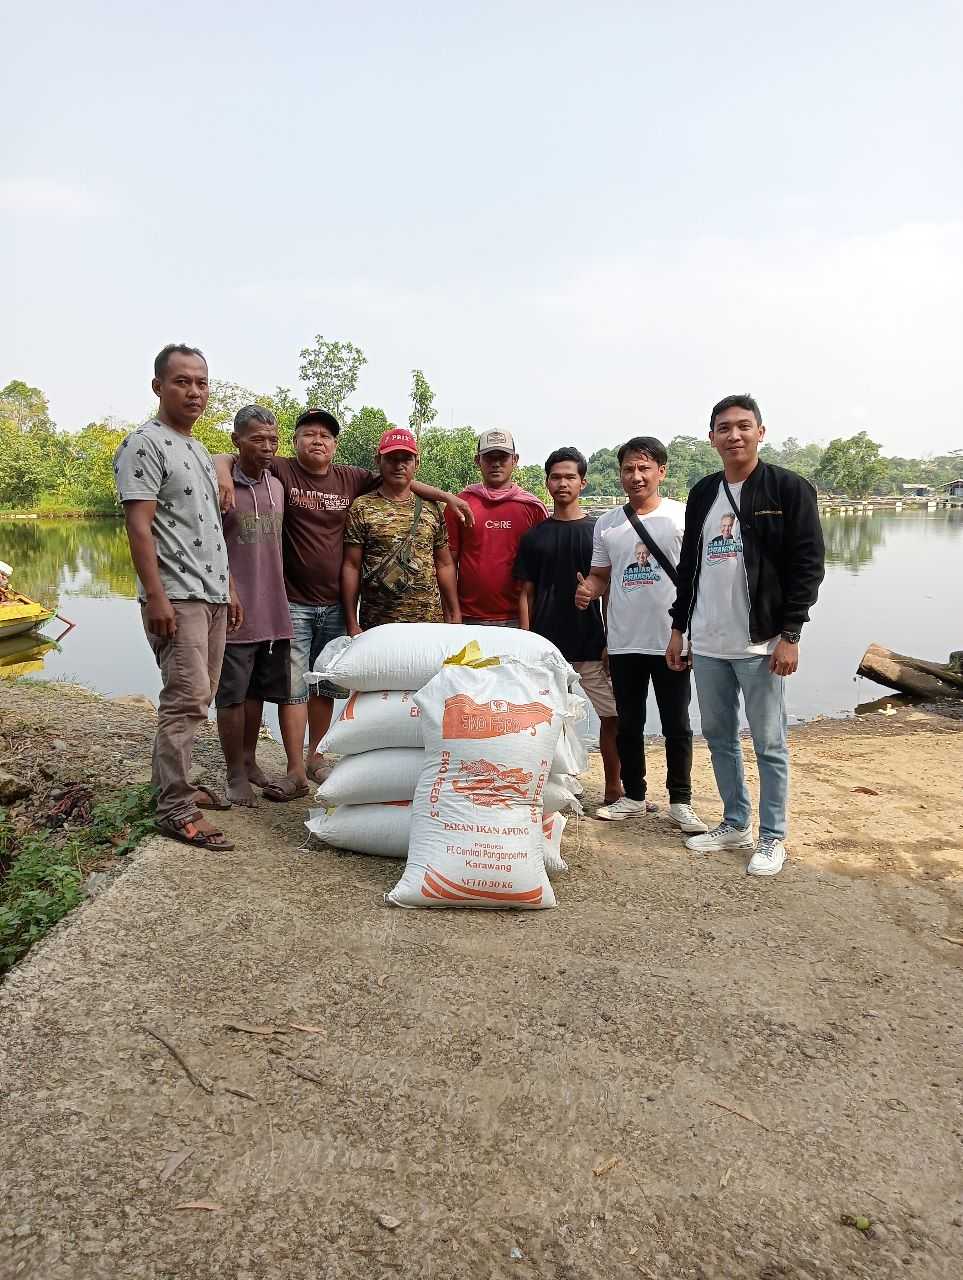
<point>170,491</point>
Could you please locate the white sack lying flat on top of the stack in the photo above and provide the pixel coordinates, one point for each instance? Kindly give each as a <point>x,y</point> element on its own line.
<point>408,655</point>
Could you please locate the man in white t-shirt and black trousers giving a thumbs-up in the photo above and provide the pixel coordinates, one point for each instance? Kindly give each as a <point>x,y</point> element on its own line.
<point>635,557</point>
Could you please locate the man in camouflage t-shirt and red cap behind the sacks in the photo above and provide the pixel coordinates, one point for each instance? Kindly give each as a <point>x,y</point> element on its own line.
<point>396,548</point>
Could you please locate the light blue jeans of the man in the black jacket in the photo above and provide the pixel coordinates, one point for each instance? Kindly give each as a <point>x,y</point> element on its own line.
<point>719,683</point>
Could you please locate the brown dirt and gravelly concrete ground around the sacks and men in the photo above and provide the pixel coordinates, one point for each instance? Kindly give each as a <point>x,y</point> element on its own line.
<point>681,1072</point>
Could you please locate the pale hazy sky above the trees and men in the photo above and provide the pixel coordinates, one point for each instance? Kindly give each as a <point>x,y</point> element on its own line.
<point>582,221</point>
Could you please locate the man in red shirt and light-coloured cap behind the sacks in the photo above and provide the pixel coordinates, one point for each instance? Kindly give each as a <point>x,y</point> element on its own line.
<point>485,555</point>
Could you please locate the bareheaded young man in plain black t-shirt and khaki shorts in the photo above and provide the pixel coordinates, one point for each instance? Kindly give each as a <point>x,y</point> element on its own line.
<point>553,560</point>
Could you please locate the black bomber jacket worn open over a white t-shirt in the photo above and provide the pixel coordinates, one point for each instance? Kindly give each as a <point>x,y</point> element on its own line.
<point>783,548</point>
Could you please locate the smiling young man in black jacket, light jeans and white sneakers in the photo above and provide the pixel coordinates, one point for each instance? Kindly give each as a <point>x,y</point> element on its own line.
<point>750,570</point>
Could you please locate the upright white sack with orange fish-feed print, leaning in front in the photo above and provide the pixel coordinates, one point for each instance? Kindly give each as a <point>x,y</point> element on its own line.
<point>477,836</point>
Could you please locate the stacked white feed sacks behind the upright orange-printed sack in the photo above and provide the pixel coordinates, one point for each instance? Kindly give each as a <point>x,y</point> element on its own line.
<point>366,802</point>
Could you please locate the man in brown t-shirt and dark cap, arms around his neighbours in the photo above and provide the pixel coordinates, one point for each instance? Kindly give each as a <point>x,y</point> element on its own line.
<point>318,493</point>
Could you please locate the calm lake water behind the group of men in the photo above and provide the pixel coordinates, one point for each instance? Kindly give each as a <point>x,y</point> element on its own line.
<point>892,578</point>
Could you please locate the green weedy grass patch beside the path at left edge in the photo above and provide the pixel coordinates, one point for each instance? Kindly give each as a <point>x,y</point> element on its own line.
<point>44,871</point>
